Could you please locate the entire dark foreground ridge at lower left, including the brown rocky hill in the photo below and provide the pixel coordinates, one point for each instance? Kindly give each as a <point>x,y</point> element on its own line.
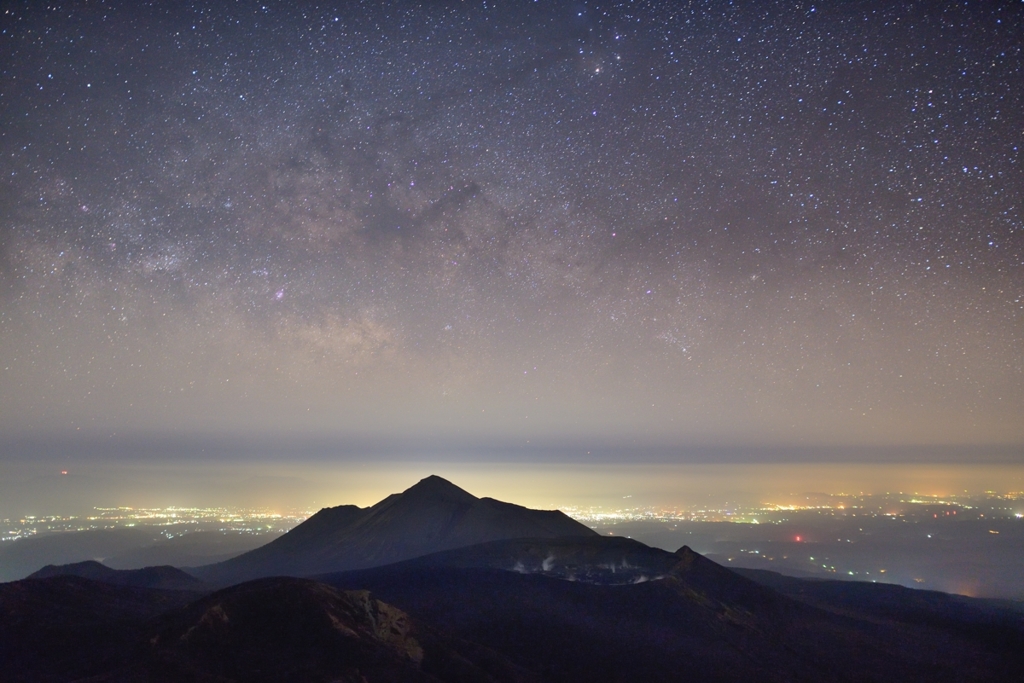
<point>74,629</point>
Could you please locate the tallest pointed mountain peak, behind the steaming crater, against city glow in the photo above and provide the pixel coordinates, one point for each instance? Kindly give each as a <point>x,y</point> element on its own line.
<point>432,517</point>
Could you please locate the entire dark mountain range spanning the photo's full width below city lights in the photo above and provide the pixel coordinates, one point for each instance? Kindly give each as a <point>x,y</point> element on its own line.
<point>541,605</point>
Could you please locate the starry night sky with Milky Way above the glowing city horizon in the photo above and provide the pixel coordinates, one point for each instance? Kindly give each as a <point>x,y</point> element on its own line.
<point>705,225</point>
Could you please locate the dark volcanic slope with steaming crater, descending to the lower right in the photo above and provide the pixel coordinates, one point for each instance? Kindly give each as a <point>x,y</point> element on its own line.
<point>700,622</point>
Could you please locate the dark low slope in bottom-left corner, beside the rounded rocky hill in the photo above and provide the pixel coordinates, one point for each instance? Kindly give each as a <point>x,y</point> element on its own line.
<point>66,628</point>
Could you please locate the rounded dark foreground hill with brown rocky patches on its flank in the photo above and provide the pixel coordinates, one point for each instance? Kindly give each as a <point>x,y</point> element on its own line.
<point>286,629</point>
